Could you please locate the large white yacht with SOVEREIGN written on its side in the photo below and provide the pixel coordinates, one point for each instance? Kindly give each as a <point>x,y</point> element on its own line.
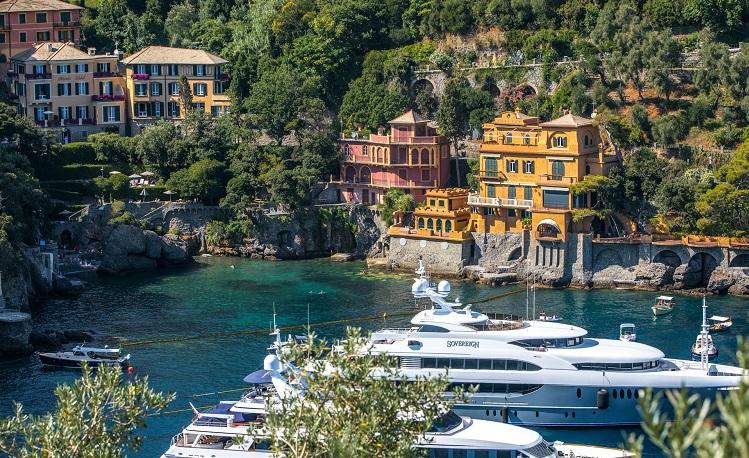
<point>538,373</point>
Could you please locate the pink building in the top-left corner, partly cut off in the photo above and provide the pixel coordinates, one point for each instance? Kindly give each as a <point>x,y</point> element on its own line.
<point>25,22</point>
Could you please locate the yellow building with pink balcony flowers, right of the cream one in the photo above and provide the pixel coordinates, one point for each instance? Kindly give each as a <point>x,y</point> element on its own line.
<point>153,82</point>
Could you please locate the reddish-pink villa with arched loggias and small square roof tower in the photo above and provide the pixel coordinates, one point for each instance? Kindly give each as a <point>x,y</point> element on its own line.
<point>411,157</point>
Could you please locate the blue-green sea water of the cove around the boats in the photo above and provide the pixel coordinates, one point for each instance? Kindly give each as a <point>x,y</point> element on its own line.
<point>201,330</point>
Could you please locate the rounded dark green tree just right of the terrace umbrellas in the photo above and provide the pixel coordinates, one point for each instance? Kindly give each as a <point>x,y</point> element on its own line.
<point>204,180</point>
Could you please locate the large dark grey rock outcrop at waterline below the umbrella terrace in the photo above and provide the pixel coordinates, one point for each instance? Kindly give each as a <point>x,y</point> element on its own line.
<point>130,249</point>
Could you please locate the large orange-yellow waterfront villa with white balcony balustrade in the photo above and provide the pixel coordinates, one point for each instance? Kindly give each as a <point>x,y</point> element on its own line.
<point>526,169</point>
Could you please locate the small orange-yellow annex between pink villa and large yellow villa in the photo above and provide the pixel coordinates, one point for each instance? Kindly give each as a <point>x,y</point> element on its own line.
<point>444,215</point>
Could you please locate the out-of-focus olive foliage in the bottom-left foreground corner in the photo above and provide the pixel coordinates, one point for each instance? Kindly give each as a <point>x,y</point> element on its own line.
<point>96,417</point>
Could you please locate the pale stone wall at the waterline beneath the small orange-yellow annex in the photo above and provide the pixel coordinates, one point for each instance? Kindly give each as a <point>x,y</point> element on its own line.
<point>440,257</point>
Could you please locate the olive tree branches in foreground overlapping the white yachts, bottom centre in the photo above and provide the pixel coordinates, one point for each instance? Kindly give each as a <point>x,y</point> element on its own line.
<point>349,413</point>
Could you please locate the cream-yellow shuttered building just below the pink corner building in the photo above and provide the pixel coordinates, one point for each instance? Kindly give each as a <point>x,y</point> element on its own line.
<point>72,92</point>
